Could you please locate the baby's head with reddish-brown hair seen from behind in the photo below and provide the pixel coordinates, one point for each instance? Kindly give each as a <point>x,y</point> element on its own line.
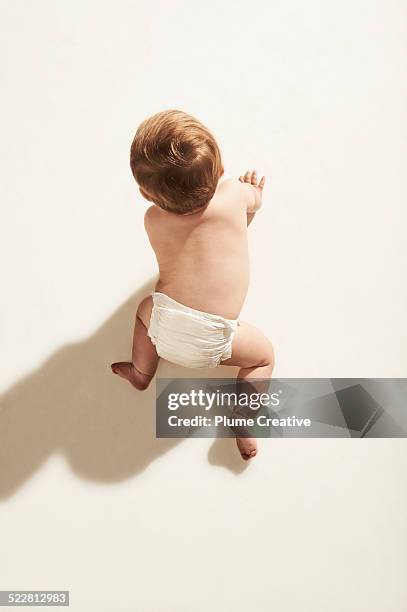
<point>176,161</point>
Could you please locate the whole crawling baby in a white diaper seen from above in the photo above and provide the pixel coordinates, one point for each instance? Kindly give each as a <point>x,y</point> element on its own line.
<point>197,227</point>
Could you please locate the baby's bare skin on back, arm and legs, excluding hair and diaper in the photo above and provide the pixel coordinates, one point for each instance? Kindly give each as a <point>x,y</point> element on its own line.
<point>203,263</point>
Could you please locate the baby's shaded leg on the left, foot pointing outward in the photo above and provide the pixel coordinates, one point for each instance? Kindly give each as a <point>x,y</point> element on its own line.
<point>143,366</point>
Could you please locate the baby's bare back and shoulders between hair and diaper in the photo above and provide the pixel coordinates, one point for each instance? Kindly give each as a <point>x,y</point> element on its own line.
<point>203,257</point>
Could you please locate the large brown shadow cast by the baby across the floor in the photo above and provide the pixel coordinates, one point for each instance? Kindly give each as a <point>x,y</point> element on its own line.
<point>73,404</point>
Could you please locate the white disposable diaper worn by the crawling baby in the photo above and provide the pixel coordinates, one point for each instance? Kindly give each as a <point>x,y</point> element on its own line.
<point>189,337</point>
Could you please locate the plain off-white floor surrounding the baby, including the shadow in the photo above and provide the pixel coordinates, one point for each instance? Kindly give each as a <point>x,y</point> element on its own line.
<point>311,94</point>
